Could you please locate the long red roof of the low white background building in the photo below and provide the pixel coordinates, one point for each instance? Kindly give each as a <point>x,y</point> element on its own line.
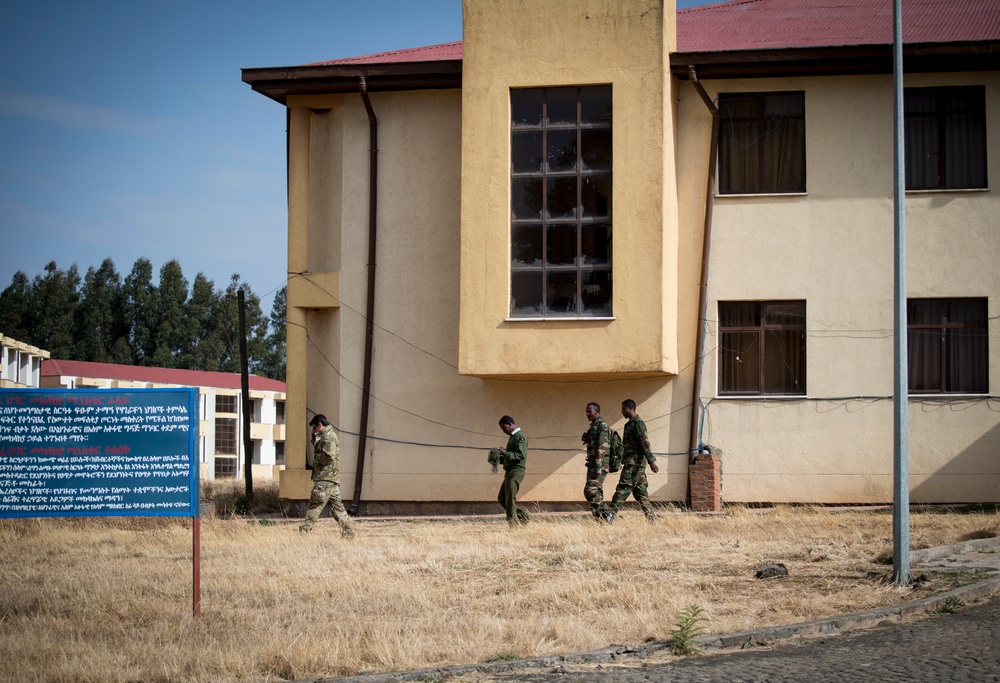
<point>136,373</point>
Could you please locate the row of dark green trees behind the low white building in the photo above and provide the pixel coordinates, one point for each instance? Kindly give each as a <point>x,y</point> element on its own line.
<point>132,320</point>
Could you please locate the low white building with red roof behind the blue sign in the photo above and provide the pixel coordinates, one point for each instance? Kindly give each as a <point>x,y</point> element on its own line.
<point>220,437</point>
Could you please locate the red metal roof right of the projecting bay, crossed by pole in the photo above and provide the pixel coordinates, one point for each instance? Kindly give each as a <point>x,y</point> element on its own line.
<point>771,24</point>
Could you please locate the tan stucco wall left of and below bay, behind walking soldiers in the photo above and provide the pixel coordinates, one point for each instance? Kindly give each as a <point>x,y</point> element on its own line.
<point>430,427</point>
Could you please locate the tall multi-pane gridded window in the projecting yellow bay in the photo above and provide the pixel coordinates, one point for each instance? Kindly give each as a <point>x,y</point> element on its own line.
<point>560,205</point>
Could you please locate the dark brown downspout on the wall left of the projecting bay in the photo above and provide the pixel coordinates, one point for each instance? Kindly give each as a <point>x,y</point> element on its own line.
<point>370,312</point>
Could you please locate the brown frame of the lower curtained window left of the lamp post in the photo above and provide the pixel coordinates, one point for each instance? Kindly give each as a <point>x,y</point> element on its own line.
<point>729,352</point>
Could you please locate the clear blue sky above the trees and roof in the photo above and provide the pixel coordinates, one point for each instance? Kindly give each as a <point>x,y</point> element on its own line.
<point>125,130</point>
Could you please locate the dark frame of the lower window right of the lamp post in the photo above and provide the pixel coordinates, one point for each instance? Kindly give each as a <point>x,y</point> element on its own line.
<point>948,350</point>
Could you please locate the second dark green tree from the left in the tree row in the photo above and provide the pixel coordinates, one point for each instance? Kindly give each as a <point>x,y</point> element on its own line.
<point>55,299</point>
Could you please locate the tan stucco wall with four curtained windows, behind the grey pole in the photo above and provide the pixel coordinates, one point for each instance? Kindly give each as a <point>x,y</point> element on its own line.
<point>834,248</point>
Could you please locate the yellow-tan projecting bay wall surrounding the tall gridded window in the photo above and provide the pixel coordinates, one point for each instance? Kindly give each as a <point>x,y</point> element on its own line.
<point>551,43</point>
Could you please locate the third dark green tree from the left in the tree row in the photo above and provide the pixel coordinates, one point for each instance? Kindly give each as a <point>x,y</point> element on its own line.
<point>99,324</point>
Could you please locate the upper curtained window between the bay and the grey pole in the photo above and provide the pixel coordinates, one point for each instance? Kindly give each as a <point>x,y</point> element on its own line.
<point>762,143</point>
